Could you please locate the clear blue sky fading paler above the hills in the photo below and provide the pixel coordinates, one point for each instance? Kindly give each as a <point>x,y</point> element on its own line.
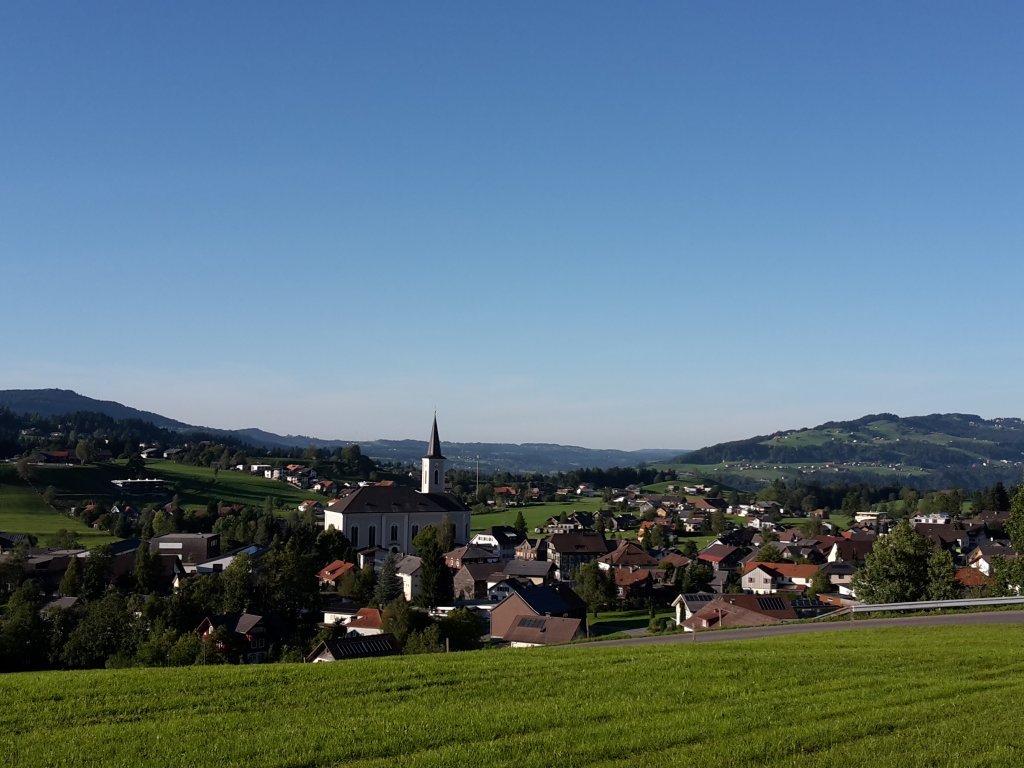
<point>658,225</point>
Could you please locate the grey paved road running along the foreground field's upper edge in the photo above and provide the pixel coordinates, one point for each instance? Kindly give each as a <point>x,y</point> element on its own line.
<point>999,617</point>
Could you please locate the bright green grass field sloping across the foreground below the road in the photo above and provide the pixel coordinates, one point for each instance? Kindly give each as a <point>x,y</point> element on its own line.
<point>876,699</point>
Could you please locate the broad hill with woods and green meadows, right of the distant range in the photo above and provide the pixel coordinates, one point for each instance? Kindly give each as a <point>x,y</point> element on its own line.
<point>959,450</point>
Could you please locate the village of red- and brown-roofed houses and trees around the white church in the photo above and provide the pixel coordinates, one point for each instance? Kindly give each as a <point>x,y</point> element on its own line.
<point>406,571</point>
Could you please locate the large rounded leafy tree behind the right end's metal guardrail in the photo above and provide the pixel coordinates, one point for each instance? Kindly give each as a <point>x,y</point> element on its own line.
<point>897,571</point>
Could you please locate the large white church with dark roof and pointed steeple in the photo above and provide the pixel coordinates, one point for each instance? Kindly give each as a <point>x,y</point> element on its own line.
<point>391,518</point>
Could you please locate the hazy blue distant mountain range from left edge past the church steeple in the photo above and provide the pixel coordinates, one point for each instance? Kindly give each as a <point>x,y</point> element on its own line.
<point>492,456</point>
